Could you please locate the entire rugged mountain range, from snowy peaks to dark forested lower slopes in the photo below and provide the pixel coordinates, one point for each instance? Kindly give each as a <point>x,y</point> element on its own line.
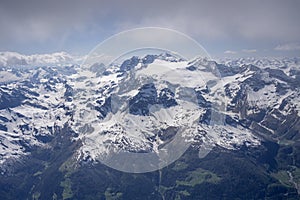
<point>59,121</point>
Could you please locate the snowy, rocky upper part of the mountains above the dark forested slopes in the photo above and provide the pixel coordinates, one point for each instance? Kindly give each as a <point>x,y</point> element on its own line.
<point>138,105</point>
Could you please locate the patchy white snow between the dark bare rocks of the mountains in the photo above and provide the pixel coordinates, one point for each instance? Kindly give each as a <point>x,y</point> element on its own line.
<point>121,127</point>
